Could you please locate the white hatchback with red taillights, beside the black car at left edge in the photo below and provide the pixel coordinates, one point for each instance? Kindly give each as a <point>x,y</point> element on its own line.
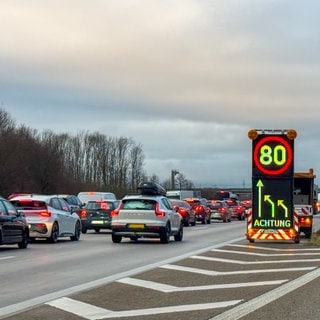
<point>49,217</point>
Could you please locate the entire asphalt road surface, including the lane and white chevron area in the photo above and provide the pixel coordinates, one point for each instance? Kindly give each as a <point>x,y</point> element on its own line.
<point>213,274</point>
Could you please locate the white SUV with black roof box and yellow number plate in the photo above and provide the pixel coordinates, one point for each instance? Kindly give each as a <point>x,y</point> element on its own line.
<point>148,214</point>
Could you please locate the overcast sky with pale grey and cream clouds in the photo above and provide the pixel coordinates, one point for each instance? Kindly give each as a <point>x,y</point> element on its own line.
<point>185,78</point>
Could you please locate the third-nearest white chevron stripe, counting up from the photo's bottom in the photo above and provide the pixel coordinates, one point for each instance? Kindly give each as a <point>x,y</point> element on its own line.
<point>219,273</point>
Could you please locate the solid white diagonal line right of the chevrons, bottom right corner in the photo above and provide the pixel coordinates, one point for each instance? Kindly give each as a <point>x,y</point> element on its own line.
<point>258,302</point>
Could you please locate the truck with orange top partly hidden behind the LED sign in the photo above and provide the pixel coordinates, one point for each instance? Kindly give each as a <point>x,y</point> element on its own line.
<point>303,200</point>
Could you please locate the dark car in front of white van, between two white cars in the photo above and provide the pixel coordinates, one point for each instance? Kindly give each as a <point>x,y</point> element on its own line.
<point>96,214</point>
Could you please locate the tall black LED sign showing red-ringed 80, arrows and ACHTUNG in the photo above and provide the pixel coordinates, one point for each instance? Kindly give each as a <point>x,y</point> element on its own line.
<point>272,180</point>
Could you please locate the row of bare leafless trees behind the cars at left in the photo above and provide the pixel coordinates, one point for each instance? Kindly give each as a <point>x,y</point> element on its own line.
<point>46,162</point>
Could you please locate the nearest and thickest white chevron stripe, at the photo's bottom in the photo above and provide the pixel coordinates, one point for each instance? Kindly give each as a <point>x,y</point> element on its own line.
<point>91,312</point>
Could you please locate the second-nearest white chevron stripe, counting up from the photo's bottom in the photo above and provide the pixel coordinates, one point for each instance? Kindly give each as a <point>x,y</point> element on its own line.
<point>167,288</point>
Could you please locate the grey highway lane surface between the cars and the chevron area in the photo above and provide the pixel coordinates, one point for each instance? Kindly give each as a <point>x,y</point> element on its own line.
<point>45,268</point>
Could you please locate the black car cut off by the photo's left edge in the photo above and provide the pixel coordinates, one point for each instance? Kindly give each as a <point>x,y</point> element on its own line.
<point>14,228</point>
